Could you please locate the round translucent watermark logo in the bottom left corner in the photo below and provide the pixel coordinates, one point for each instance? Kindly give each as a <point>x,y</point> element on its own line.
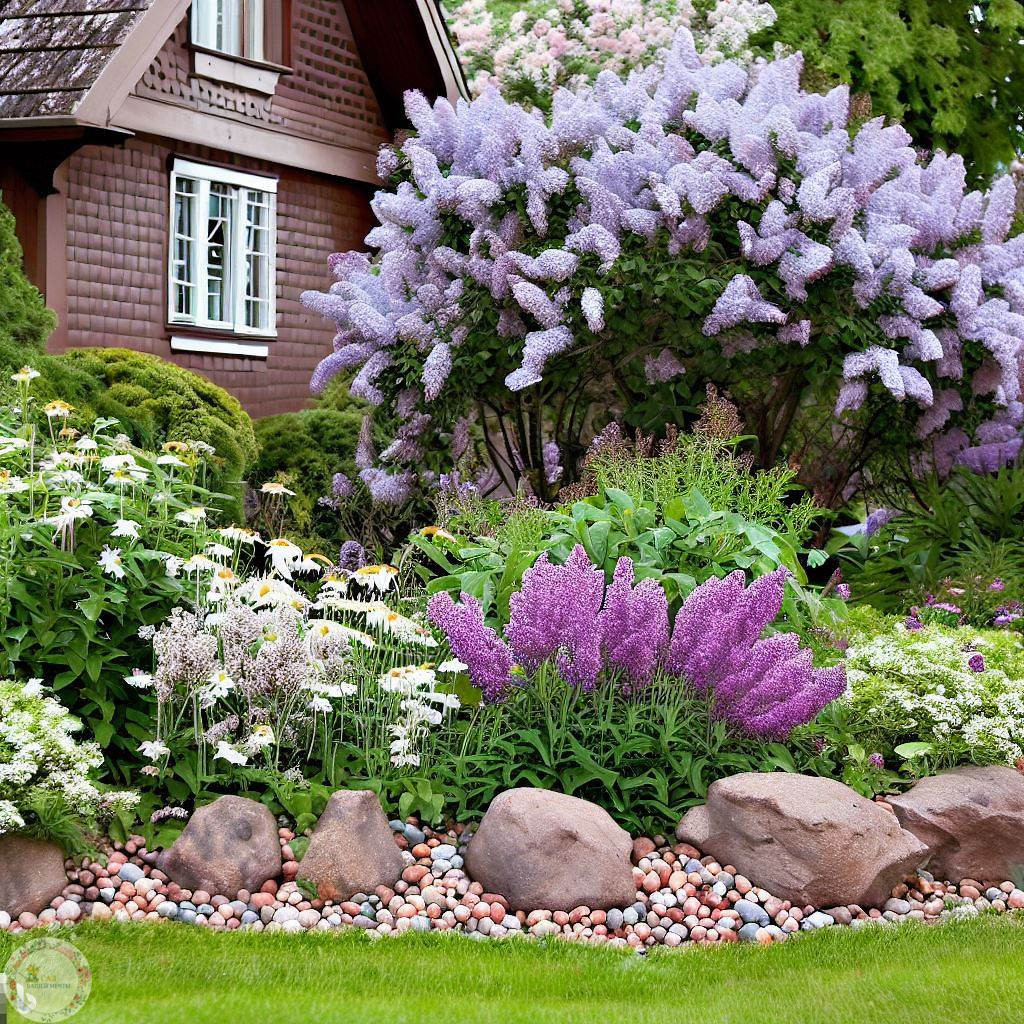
<point>47,980</point>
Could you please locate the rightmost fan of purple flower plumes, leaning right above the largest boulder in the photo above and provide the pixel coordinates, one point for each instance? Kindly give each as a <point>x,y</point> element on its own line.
<point>765,688</point>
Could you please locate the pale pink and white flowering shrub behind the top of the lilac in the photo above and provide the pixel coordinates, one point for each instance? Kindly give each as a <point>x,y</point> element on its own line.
<point>552,44</point>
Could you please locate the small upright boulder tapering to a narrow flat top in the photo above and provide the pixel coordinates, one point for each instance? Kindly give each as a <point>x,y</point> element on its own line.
<point>353,849</point>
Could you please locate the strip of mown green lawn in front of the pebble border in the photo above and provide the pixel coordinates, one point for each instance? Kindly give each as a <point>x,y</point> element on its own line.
<point>968,972</point>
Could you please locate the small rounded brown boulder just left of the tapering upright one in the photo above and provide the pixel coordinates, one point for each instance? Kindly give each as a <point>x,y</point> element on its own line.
<point>229,845</point>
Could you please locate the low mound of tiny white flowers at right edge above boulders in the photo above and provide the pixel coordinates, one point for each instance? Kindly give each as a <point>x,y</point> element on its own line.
<point>960,690</point>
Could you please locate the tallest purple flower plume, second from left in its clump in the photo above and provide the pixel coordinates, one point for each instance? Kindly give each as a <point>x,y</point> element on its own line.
<point>556,615</point>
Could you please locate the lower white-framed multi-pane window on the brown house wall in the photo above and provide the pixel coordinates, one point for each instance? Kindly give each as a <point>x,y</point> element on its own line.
<point>223,238</point>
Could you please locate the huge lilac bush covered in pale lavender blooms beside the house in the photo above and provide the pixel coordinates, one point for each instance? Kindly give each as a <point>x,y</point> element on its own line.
<point>690,224</point>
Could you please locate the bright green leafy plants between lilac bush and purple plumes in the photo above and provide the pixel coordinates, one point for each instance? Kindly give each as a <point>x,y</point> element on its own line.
<point>686,509</point>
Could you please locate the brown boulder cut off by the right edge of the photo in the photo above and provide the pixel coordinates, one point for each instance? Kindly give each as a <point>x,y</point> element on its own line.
<point>972,822</point>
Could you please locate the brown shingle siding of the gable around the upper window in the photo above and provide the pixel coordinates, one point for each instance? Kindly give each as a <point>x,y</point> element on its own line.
<point>327,99</point>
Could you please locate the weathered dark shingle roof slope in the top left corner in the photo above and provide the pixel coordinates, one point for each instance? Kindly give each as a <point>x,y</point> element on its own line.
<point>53,52</point>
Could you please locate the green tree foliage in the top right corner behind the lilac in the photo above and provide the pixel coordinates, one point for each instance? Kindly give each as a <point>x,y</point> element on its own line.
<point>952,71</point>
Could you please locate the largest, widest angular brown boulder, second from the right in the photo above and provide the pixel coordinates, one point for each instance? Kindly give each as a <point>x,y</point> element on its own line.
<point>804,839</point>
